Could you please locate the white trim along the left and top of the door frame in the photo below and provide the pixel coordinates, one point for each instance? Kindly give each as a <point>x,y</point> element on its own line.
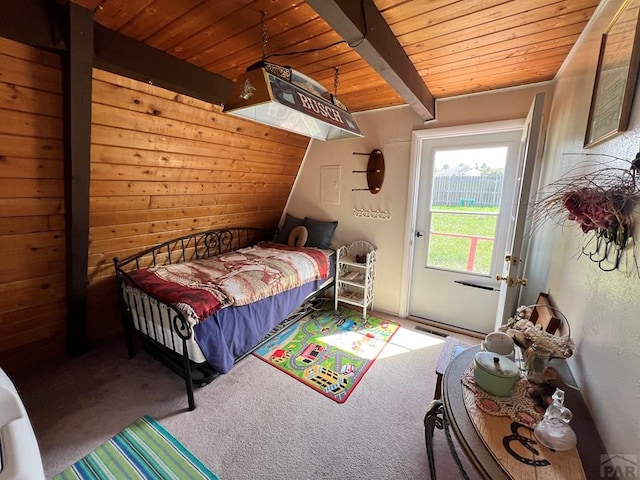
<point>417,138</point>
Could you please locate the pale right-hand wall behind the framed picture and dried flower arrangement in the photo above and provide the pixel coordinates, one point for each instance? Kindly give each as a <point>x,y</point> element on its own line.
<point>603,308</point>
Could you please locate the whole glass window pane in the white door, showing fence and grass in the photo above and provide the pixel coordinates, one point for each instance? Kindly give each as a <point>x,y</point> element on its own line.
<point>465,204</point>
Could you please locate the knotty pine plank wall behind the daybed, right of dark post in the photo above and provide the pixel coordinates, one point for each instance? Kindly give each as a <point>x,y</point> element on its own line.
<point>164,165</point>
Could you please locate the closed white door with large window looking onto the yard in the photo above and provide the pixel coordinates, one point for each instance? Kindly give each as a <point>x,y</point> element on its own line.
<point>462,222</point>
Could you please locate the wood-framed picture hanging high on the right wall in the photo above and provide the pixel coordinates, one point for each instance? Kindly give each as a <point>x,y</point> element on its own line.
<point>616,76</point>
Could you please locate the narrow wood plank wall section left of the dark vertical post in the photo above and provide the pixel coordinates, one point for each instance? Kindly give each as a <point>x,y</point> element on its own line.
<point>32,276</point>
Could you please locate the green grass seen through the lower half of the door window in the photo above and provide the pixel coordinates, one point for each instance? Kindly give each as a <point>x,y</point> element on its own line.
<point>452,252</point>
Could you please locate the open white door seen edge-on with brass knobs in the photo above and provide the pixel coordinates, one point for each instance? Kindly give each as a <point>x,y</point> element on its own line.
<point>514,261</point>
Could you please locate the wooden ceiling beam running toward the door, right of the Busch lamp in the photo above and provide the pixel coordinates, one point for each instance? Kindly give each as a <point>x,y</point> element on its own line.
<point>362,26</point>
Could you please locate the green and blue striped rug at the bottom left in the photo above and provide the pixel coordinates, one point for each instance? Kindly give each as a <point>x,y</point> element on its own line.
<point>143,450</point>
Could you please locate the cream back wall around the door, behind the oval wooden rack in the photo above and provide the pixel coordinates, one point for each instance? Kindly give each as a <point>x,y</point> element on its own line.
<point>390,130</point>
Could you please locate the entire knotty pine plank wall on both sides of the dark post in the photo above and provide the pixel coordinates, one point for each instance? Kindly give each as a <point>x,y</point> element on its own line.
<point>162,165</point>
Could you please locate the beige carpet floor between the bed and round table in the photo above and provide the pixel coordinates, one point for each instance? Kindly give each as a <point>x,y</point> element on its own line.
<point>252,423</point>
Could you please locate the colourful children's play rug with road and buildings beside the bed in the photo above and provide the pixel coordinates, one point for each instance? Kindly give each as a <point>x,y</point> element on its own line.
<point>329,350</point>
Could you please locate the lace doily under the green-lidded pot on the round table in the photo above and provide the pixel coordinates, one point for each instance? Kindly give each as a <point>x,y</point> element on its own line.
<point>520,407</point>
